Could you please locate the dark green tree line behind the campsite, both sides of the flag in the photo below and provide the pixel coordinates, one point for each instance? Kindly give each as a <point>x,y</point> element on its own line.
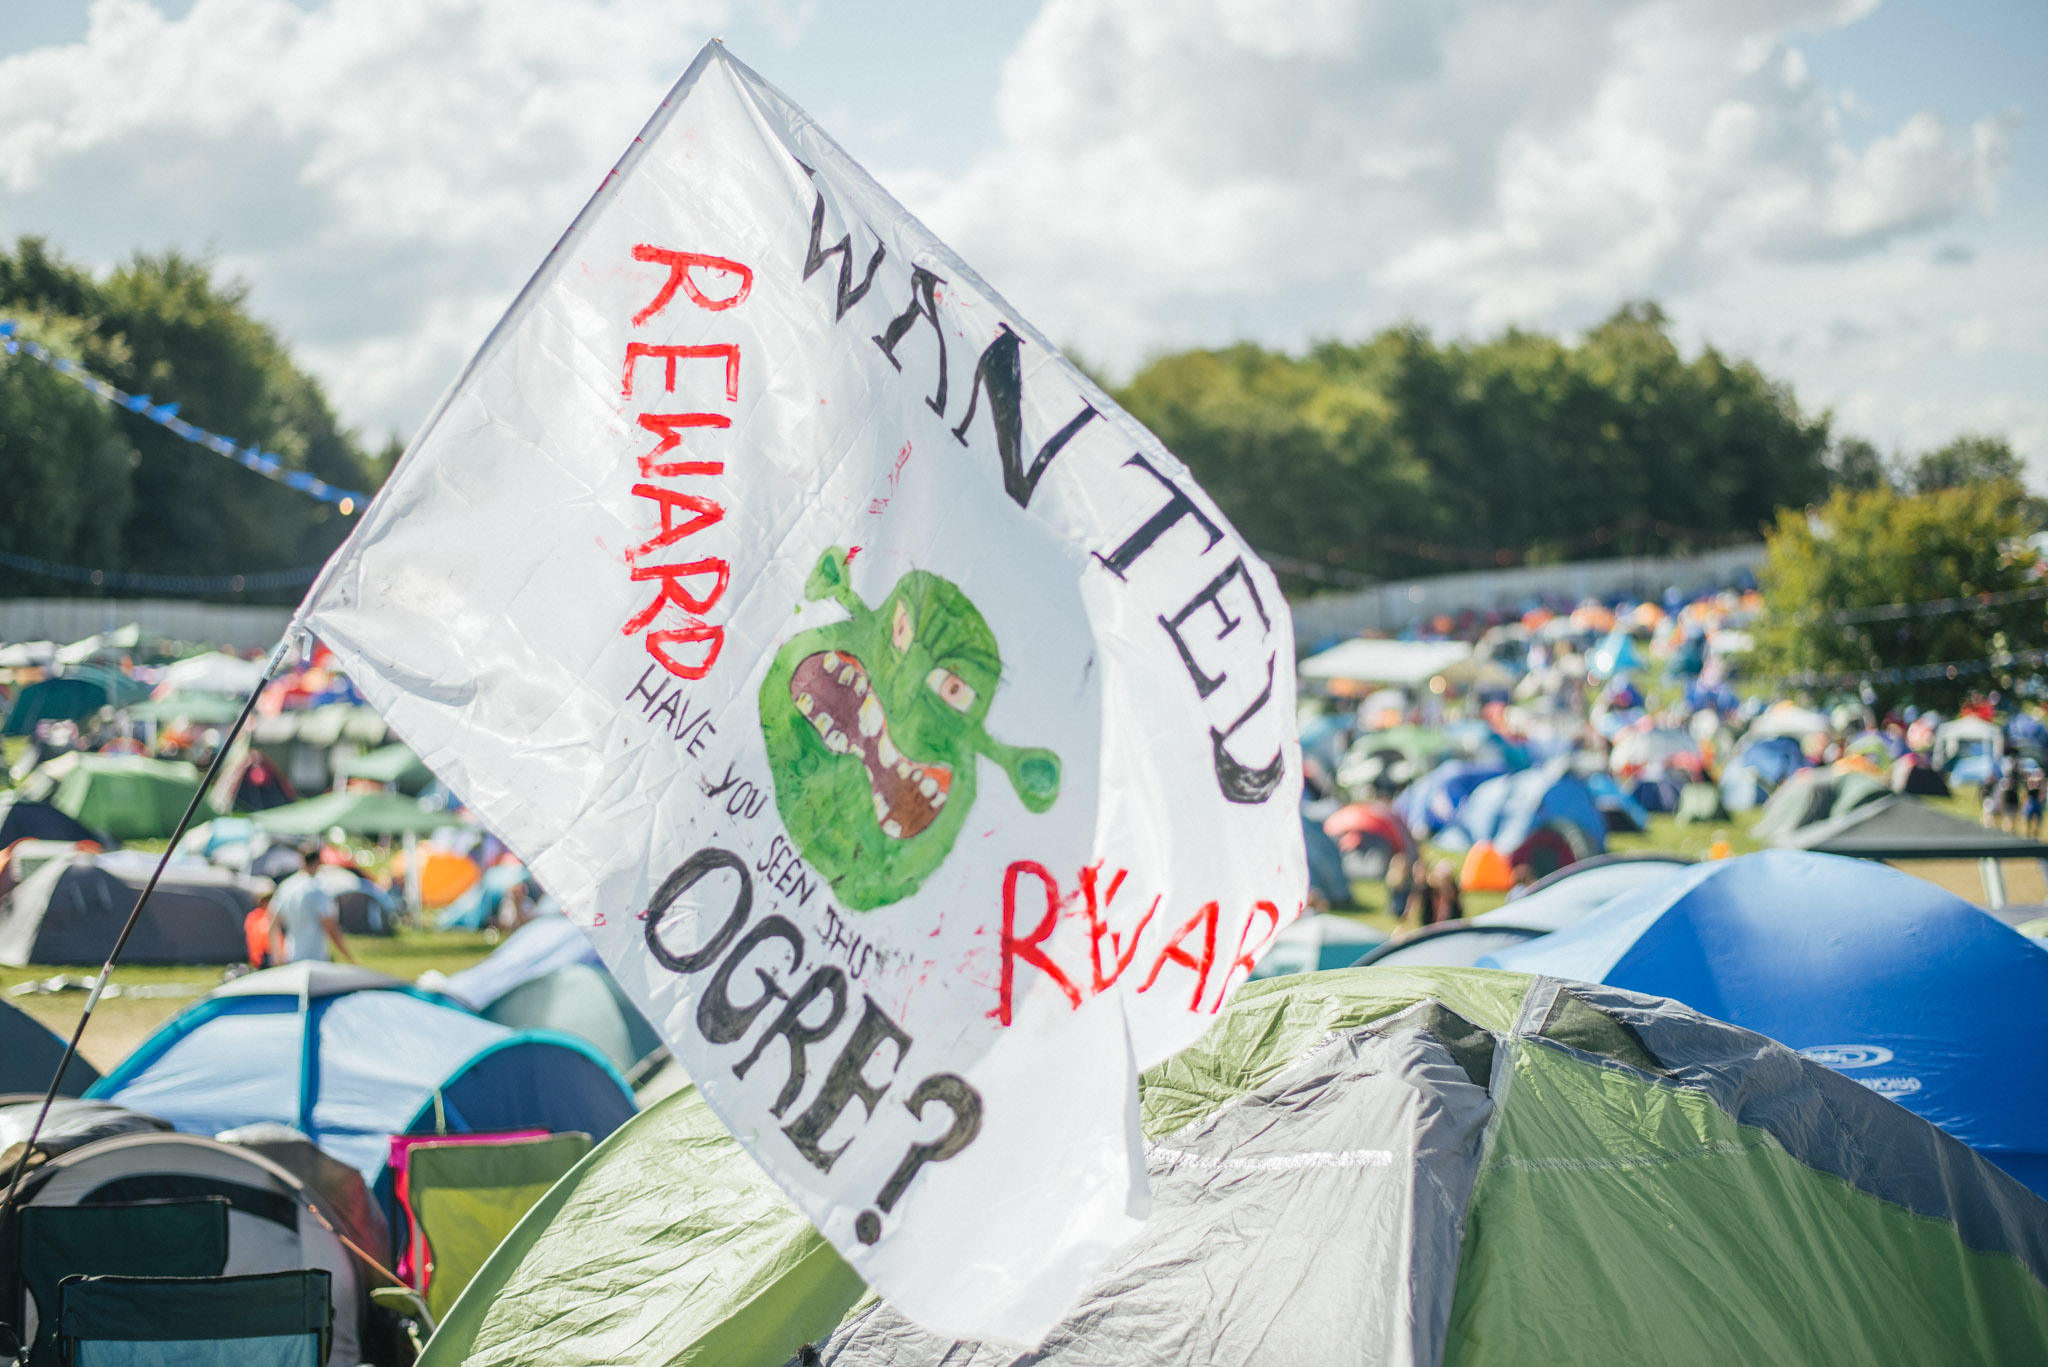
<point>1390,458</point>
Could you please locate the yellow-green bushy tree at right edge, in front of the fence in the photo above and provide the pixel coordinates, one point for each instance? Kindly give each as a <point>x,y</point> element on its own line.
<point>1828,569</point>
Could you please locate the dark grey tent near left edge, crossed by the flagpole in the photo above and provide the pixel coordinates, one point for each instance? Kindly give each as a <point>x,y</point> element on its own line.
<point>73,909</point>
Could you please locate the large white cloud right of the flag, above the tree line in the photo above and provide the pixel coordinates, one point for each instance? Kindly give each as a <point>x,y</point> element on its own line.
<point>1211,169</point>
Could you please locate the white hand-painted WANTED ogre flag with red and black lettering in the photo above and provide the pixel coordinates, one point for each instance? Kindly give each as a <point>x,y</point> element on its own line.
<point>910,735</point>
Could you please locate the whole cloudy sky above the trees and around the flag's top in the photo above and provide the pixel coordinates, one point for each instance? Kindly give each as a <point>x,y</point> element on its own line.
<point>1852,194</point>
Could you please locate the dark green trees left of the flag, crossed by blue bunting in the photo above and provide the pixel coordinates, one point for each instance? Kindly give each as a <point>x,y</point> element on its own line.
<point>95,487</point>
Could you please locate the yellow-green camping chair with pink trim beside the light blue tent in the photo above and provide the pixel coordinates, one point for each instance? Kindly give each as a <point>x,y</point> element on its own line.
<point>462,1200</point>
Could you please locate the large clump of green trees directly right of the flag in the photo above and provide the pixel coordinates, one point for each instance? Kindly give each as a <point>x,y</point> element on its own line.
<point>1402,456</point>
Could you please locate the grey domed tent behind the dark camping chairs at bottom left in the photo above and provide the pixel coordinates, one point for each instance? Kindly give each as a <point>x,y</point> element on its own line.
<point>275,1223</point>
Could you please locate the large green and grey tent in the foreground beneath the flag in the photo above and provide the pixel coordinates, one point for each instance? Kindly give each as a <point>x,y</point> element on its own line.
<point>1367,1165</point>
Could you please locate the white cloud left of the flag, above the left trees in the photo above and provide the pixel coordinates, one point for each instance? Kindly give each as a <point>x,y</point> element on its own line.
<point>384,175</point>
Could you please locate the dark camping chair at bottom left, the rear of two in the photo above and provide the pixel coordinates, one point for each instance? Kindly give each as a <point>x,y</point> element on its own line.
<point>142,1239</point>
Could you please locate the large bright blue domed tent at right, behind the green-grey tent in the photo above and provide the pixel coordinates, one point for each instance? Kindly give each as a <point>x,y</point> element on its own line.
<point>1879,975</point>
